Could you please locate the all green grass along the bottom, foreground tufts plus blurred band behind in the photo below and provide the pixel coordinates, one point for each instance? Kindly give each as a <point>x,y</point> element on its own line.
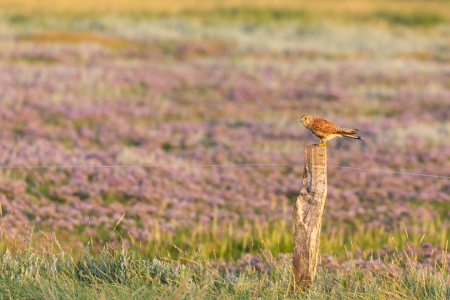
<point>178,265</point>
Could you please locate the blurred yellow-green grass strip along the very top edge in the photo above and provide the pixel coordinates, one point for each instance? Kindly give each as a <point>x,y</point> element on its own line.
<point>414,13</point>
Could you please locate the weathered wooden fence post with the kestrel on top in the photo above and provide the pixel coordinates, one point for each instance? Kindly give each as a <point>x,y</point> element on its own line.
<point>308,213</point>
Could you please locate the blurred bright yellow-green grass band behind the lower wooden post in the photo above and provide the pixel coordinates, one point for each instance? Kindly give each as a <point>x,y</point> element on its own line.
<point>278,238</point>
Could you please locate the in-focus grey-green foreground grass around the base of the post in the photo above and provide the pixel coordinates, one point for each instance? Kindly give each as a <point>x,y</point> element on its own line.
<point>125,273</point>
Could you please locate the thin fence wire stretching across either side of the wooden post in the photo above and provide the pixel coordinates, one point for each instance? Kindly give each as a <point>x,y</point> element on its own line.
<point>214,165</point>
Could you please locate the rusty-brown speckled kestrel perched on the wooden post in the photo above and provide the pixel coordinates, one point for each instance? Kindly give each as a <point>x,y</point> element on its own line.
<point>325,129</point>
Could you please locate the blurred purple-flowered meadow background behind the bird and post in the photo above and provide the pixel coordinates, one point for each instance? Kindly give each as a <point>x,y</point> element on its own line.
<point>173,82</point>
